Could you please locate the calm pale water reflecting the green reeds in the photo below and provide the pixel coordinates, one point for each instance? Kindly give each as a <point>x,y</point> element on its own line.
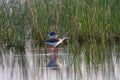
<point>31,65</point>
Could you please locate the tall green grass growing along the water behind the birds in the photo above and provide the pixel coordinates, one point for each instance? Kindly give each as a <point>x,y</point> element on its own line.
<point>80,20</point>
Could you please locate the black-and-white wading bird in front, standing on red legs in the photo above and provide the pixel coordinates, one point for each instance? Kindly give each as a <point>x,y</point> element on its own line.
<point>54,42</point>
